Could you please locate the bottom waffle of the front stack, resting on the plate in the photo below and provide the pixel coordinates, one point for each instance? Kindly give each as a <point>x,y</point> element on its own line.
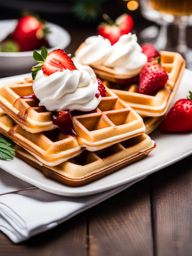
<point>89,166</point>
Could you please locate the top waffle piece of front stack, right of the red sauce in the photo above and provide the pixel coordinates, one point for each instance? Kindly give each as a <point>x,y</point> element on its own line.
<point>112,122</point>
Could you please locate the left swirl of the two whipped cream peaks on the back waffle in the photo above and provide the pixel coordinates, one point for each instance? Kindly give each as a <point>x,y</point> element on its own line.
<point>94,50</point>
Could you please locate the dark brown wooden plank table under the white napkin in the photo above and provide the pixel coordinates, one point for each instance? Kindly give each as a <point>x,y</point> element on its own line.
<point>154,217</point>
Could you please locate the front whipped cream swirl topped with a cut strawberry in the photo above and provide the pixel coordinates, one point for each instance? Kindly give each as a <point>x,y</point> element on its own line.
<point>70,90</point>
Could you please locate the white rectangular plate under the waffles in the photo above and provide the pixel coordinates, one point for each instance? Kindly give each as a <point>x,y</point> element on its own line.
<point>167,152</point>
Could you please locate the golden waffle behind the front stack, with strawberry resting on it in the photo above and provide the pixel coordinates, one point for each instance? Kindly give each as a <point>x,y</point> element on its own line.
<point>157,105</point>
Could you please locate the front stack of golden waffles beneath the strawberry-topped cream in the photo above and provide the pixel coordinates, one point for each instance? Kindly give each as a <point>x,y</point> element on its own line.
<point>106,139</point>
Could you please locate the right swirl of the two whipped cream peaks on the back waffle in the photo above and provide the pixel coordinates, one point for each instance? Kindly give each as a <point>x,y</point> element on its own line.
<point>126,56</point>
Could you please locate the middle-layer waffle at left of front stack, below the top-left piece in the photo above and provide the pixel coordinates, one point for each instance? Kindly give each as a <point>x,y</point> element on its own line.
<point>50,148</point>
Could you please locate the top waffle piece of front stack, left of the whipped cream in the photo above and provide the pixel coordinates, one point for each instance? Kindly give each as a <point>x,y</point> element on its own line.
<point>26,112</point>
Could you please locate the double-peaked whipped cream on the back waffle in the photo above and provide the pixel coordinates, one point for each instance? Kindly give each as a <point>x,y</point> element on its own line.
<point>124,57</point>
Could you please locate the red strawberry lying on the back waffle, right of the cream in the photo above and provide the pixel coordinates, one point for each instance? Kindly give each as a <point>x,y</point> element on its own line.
<point>152,78</point>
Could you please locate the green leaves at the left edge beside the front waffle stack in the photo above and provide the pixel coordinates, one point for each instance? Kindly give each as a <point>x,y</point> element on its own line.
<point>7,149</point>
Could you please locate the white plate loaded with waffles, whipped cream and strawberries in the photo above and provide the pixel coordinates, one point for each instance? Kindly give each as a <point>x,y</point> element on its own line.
<point>74,133</point>
